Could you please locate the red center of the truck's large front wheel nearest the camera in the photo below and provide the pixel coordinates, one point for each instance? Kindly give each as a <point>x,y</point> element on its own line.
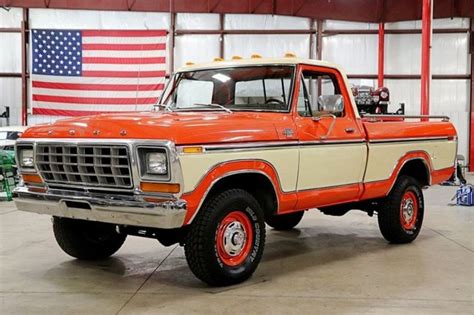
<point>234,238</point>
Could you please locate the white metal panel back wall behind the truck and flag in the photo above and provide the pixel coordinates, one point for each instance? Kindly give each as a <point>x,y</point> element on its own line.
<point>356,53</point>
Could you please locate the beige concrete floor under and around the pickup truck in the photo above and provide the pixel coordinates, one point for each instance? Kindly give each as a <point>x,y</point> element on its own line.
<point>327,265</point>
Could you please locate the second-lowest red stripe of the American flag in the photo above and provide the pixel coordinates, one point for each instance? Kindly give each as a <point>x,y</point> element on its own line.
<point>95,100</point>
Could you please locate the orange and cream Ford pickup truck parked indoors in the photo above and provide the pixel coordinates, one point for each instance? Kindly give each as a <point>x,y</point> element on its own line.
<point>232,146</point>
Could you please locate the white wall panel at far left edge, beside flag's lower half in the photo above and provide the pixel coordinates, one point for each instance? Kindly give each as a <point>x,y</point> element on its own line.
<point>10,95</point>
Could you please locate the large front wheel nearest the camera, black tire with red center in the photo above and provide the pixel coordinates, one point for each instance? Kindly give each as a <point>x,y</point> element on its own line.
<point>226,240</point>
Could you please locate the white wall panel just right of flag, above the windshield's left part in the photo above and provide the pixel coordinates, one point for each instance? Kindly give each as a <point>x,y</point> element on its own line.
<point>195,48</point>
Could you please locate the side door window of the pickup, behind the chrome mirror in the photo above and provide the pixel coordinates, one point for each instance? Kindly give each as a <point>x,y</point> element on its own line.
<point>319,94</point>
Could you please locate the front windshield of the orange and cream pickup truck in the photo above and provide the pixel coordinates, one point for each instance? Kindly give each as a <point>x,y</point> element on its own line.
<point>261,88</point>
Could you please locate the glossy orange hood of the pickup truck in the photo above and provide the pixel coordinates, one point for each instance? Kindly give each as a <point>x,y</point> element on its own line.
<point>180,127</point>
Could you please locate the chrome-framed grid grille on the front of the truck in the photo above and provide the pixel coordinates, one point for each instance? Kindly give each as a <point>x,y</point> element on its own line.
<point>93,165</point>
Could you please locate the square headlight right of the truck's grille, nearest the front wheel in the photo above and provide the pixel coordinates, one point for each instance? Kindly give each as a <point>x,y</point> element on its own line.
<point>154,163</point>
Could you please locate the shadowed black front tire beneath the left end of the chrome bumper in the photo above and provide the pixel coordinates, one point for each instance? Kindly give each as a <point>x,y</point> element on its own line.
<point>87,240</point>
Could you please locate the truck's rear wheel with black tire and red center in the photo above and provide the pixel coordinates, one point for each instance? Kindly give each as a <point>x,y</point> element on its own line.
<point>401,216</point>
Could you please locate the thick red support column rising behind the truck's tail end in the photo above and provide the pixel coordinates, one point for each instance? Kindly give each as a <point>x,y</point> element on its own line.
<point>425,56</point>
